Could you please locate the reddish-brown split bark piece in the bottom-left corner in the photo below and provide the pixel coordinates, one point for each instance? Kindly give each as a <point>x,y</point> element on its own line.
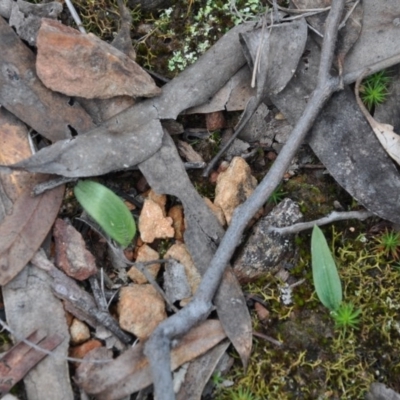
<point>16,362</point>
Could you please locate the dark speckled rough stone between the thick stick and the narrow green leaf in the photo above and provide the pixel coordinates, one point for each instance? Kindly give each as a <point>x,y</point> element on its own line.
<point>267,251</point>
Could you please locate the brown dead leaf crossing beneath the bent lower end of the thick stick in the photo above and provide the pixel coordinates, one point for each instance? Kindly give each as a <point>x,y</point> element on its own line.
<point>130,372</point>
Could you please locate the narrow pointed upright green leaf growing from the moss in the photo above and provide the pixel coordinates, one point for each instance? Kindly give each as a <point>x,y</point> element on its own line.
<point>325,275</point>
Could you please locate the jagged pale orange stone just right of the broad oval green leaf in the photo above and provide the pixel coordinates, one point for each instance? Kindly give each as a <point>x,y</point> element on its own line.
<point>153,224</point>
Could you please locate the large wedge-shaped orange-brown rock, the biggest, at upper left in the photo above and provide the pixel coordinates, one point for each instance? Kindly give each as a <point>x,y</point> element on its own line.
<point>82,65</point>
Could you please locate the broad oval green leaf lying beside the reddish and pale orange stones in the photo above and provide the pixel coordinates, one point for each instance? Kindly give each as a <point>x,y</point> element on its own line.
<point>108,210</point>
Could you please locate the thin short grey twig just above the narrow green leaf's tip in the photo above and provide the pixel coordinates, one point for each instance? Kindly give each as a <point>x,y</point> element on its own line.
<point>334,216</point>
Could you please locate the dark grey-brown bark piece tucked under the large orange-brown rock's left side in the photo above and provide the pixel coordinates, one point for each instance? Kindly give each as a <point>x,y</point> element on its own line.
<point>22,93</point>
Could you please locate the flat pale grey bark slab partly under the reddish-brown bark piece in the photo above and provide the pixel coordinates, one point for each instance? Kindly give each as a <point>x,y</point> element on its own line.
<point>29,302</point>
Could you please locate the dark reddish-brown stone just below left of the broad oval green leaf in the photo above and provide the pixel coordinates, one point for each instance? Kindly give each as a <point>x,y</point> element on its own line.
<point>71,254</point>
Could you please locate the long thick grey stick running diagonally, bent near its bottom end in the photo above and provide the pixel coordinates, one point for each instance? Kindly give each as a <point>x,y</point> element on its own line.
<point>158,346</point>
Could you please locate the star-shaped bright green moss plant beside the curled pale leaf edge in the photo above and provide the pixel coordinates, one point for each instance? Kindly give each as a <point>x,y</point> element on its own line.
<point>374,89</point>
